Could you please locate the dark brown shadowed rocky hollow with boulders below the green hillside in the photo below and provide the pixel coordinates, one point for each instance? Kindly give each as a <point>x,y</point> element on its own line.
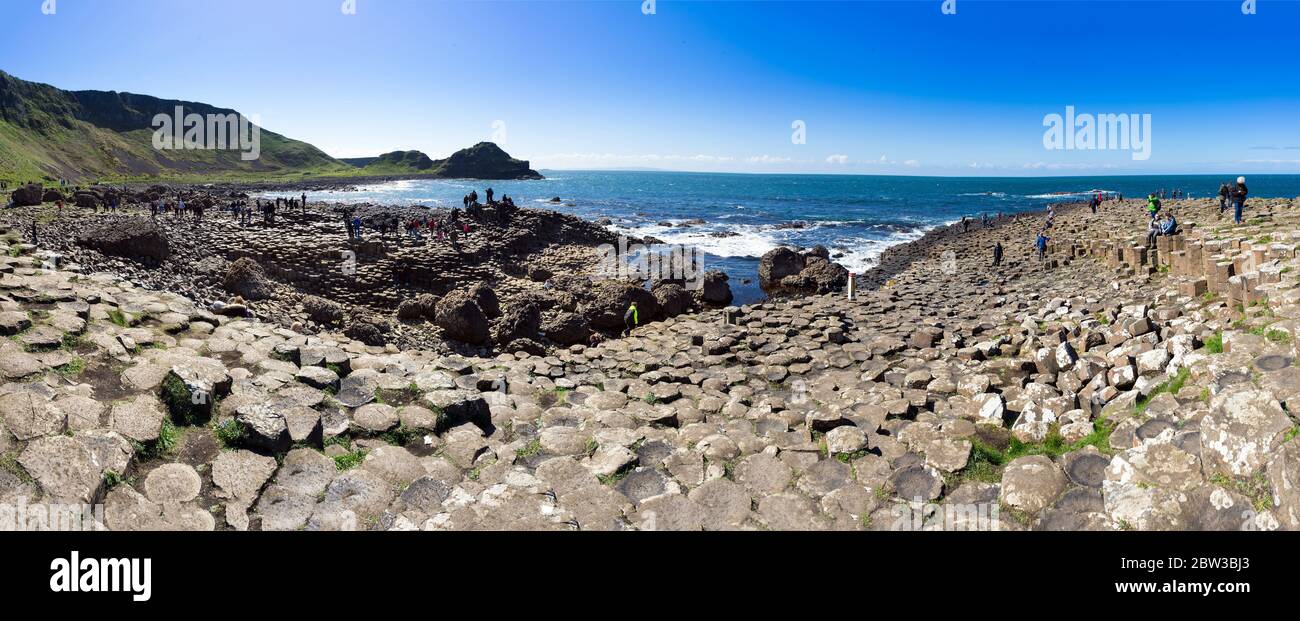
<point>527,272</point>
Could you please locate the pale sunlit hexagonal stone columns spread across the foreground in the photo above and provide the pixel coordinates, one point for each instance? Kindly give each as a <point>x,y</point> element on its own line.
<point>1111,387</point>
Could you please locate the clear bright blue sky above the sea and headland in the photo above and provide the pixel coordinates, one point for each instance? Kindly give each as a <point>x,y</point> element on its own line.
<point>883,88</point>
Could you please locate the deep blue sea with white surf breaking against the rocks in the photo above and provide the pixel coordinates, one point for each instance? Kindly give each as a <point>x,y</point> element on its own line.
<point>735,219</point>
